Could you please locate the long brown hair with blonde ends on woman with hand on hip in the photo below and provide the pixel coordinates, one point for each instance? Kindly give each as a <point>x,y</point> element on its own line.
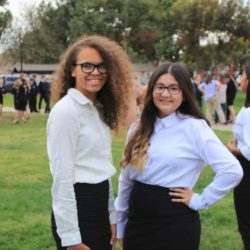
<point>135,151</point>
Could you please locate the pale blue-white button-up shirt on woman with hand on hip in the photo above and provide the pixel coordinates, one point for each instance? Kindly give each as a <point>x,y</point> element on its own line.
<point>180,148</point>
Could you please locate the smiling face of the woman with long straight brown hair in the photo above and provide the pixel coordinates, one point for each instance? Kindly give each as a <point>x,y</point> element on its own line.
<point>165,102</point>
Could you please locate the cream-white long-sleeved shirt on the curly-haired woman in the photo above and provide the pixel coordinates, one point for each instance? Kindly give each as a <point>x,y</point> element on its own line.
<point>79,151</point>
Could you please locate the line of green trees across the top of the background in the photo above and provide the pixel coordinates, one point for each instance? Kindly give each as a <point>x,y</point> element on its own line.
<point>201,33</point>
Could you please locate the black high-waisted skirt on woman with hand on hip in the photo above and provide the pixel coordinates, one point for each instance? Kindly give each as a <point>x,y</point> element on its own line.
<point>157,223</point>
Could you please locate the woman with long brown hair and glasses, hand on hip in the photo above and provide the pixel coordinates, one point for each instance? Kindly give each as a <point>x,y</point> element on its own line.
<point>164,156</point>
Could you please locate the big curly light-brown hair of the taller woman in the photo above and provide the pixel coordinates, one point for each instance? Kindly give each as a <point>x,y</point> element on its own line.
<point>113,97</point>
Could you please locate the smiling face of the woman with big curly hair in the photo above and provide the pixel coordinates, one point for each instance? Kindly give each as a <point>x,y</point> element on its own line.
<point>88,83</point>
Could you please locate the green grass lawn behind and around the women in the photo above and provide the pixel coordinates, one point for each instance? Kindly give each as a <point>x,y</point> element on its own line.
<point>25,182</point>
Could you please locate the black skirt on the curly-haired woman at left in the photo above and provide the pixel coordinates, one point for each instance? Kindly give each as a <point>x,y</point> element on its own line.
<point>93,216</point>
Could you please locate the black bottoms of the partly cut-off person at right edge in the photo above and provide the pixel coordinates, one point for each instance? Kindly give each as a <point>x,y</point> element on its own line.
<point>242,203</point>
